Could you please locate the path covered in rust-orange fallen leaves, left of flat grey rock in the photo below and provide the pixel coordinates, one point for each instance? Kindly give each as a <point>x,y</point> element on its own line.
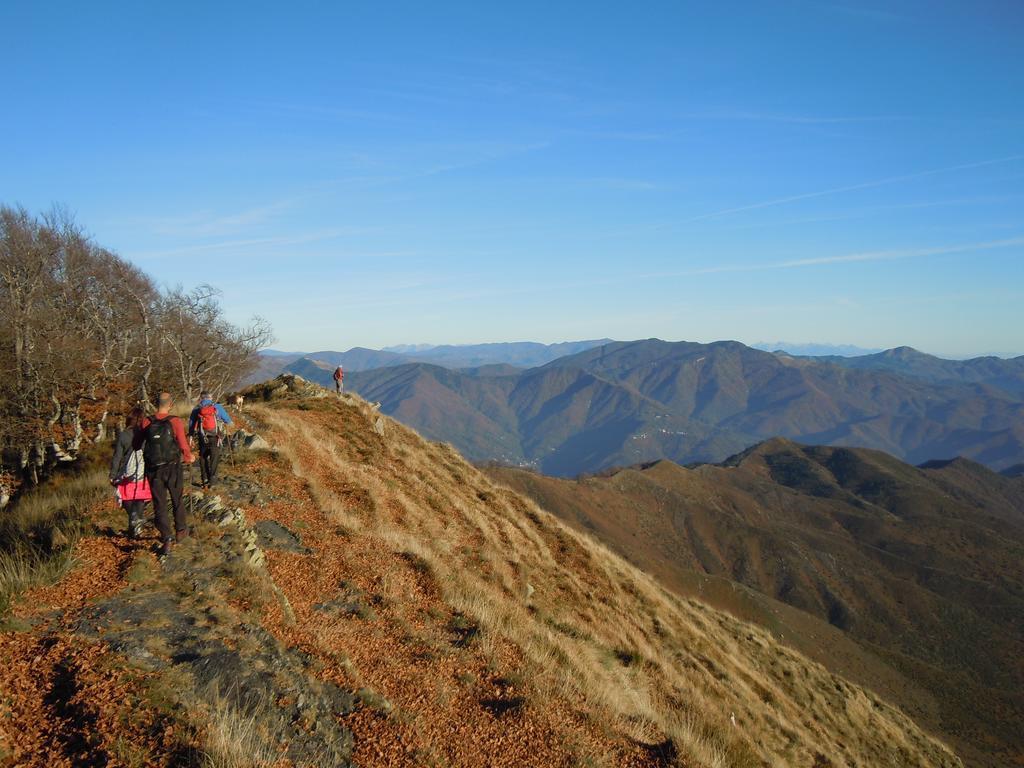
<point>55,687</point>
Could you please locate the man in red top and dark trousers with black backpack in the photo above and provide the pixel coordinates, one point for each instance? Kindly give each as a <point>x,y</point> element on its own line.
<point>162,439</point>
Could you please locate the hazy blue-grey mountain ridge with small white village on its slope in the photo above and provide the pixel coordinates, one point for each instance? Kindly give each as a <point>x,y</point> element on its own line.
<point>625,403</point>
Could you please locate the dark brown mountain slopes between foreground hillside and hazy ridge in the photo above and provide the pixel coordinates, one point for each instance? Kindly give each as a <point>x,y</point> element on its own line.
<point>922,569</point>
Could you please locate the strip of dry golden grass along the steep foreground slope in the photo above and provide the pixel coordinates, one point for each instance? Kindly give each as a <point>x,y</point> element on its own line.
<point>595,631</point>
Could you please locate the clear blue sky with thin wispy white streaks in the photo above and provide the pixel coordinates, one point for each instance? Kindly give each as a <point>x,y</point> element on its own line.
<point>380,174</point>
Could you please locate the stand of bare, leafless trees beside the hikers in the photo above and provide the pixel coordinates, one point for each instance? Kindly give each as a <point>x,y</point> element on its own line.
<point>87,336</point>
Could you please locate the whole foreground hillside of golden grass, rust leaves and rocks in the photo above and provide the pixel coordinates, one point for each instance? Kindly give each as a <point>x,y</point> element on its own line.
<point>391,591</point>
